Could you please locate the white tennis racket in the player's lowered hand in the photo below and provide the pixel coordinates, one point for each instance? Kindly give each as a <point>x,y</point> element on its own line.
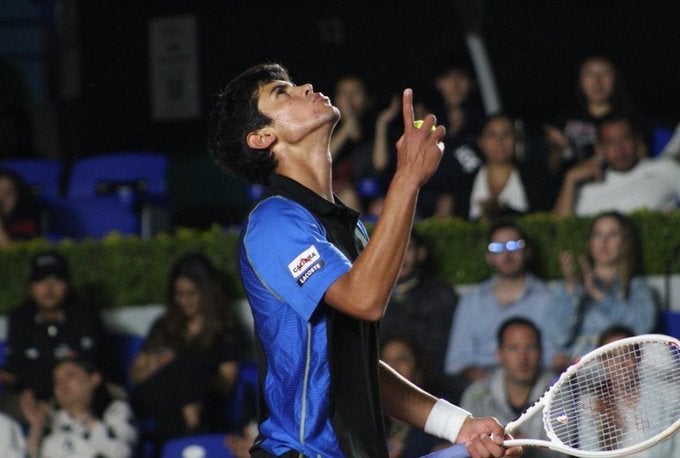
<point>619,399</point>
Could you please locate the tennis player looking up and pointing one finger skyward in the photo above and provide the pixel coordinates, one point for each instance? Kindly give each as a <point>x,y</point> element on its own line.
<point>317,286</point>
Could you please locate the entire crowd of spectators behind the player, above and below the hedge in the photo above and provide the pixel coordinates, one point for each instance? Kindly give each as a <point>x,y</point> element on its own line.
<point>494,348</point>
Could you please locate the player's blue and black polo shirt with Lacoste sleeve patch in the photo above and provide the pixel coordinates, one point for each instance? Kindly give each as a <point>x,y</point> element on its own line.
<point>319,366</point>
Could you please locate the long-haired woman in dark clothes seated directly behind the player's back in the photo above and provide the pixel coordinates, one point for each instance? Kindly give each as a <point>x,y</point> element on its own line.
<point>189,363</point>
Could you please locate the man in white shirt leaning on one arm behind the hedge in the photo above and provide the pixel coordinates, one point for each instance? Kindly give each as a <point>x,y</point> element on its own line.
<point>616,178</point>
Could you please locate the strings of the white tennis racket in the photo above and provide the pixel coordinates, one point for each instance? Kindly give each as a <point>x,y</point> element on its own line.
<point>619,398</point>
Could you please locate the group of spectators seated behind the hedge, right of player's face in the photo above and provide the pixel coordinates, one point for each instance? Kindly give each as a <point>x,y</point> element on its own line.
<point>596,154</point>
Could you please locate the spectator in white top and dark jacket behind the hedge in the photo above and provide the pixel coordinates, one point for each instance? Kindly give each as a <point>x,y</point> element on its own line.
<point>503,185</point>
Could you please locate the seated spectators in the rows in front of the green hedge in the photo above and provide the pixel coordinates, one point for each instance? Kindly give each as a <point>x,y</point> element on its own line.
<point>493,348</point>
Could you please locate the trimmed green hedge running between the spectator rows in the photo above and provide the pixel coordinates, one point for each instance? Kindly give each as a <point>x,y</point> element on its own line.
<point>118,271</point>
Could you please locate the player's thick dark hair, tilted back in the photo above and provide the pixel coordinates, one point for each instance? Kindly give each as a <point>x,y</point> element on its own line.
<point>234,116</point>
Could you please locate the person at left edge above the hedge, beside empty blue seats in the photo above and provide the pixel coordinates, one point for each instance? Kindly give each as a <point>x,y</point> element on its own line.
<point>18,214</point>
